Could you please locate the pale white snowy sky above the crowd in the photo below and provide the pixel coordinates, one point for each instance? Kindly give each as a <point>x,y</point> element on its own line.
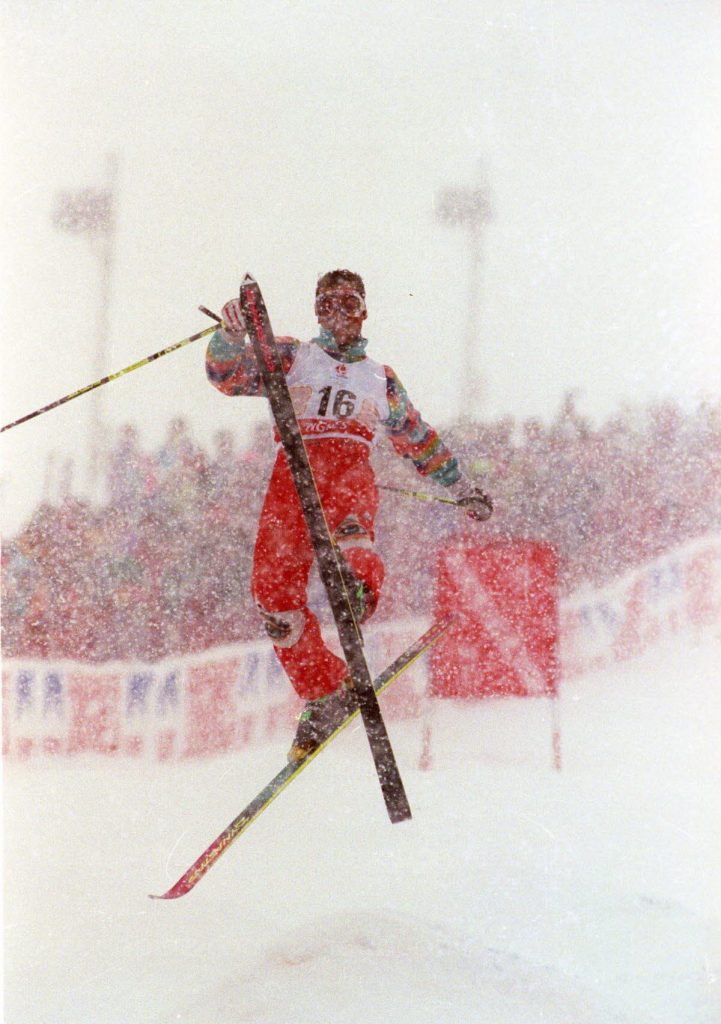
<point>289,138</point>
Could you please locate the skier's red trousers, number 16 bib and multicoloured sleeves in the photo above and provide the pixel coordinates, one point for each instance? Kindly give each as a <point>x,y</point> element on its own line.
<point>341,401</point>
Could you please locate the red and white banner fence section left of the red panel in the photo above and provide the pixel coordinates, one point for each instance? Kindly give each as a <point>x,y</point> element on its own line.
<point>193,707</point>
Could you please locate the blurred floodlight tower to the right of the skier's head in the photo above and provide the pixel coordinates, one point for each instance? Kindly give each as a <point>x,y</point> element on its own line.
<point>470,209</point>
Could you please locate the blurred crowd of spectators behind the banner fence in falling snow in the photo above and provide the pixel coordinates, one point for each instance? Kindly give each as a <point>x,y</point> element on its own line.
<point>162,567</point>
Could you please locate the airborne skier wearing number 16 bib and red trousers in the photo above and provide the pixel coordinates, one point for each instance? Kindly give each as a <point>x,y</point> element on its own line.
<point>342,399</point>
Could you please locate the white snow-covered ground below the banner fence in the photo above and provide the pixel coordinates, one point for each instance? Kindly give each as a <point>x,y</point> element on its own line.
<point>518,894</point>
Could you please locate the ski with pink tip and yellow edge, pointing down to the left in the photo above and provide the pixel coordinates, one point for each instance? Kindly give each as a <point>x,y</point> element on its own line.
<point>291,772</point>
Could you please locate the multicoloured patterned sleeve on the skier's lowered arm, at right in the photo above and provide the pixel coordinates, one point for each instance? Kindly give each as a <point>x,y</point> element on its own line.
<point>414,439</point>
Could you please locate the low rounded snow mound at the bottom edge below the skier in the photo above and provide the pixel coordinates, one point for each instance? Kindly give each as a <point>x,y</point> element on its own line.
<point>378,968</point>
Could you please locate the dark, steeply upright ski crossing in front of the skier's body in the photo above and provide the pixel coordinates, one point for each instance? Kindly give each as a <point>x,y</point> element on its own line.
<point>264,343</point>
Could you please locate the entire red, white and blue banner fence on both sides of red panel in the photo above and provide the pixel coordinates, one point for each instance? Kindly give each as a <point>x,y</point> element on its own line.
<point>228,699</point>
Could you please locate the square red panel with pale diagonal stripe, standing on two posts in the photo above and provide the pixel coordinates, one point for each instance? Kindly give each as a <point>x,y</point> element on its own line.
<point>506,637</point>
